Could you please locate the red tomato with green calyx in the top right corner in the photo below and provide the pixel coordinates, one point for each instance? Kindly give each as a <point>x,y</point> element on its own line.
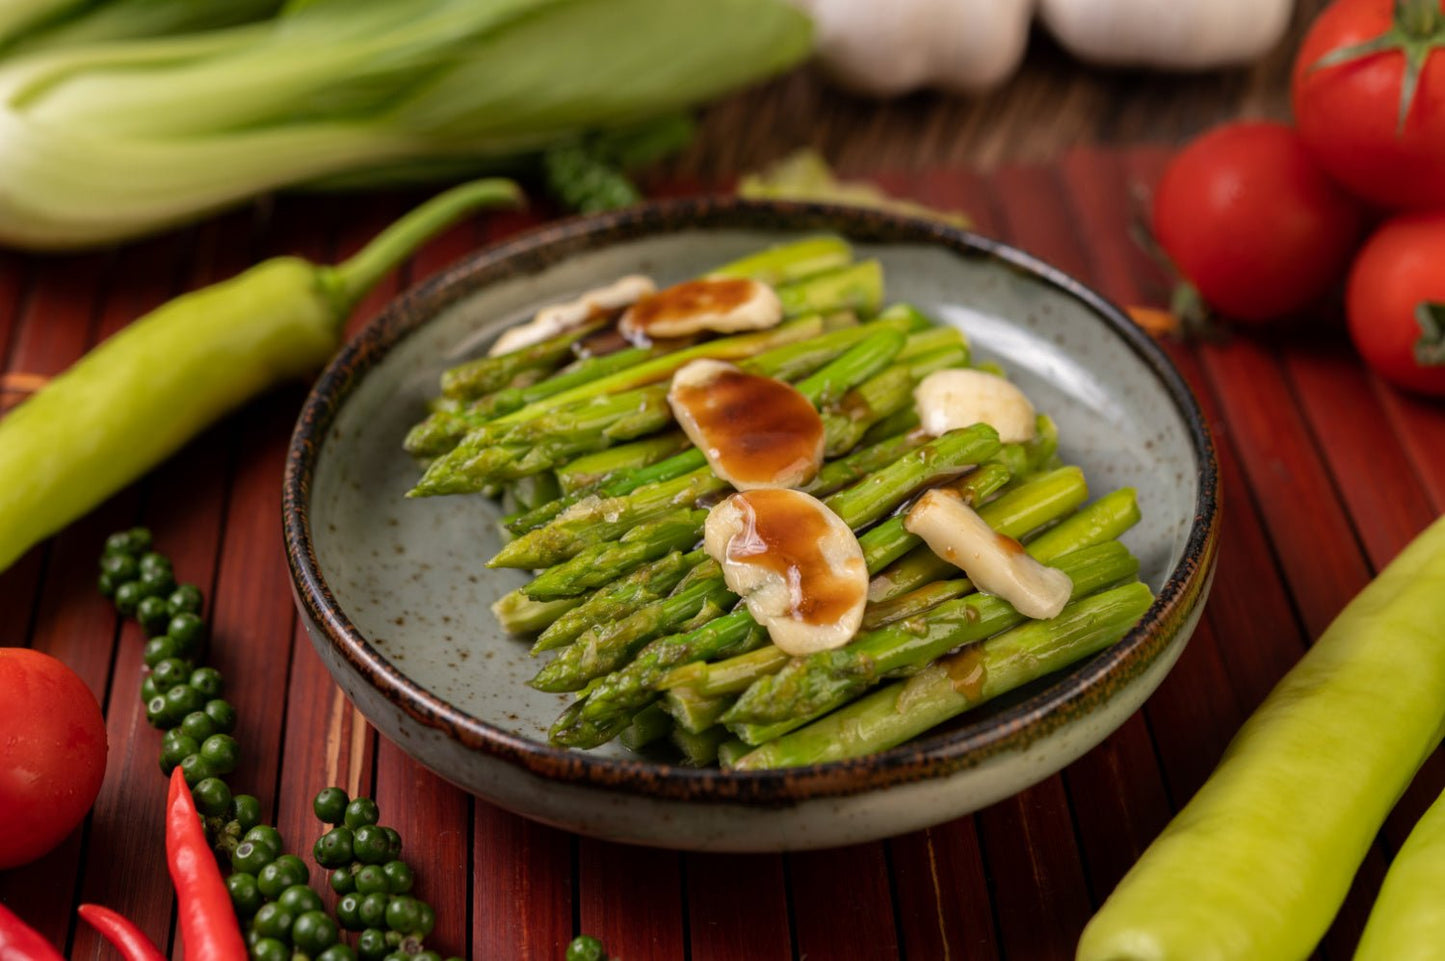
<point>1349,113</point>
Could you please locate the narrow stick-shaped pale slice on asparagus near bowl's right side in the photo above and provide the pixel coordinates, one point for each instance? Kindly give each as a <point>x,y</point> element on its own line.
<point>995,563</point>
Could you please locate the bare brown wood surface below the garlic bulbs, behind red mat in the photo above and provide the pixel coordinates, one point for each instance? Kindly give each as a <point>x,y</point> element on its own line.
<point>1053,105</point>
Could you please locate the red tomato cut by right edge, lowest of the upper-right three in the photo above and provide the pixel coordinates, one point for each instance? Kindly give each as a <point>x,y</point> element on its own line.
<point>1398,270</point>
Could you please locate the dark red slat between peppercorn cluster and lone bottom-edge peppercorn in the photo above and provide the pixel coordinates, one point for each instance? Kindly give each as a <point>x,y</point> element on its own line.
<point>522,888</point>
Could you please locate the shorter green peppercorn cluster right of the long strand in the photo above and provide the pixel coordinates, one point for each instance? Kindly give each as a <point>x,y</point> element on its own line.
<point>374,882</point>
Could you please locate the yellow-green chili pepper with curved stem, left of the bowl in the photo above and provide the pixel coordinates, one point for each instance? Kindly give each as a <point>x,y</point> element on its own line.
<point>145,392</point>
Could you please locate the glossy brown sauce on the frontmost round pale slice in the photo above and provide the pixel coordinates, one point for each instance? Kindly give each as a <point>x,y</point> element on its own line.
<point>784,534</point>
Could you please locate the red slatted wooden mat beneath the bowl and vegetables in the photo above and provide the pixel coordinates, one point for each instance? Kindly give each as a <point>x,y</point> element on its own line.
<point>1327,475</point>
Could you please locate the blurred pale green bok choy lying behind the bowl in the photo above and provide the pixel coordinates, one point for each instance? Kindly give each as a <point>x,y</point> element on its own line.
<point>111,141</point>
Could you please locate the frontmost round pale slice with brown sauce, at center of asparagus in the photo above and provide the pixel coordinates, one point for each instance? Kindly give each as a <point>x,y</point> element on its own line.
<point>797,566</point>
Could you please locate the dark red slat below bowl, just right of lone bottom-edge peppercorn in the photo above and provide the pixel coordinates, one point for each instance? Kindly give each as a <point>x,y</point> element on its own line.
<point>631,898</point>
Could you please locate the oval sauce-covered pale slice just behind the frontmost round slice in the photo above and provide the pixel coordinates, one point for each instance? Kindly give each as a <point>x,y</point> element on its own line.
<point>755,431</point>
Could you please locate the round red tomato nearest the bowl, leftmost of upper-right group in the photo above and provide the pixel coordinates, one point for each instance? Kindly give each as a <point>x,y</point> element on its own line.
<point>1252,222</point>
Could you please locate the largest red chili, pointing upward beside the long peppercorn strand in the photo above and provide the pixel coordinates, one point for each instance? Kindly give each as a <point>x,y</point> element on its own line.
<point>209,924</point>
